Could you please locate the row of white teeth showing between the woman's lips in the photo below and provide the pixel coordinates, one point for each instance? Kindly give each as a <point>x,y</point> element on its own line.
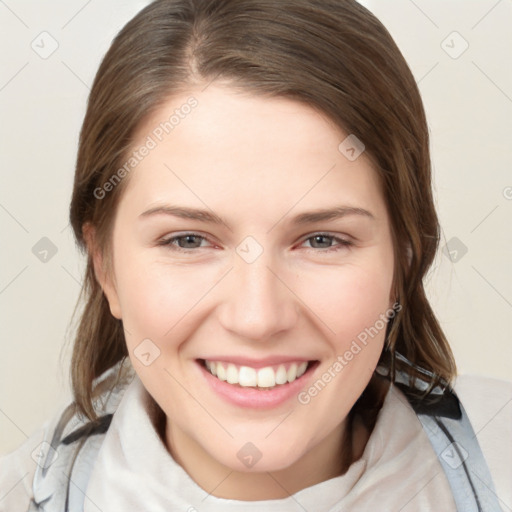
<point>266,378</point>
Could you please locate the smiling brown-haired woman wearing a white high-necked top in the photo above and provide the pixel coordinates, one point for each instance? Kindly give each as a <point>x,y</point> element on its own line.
<point>253,192</point>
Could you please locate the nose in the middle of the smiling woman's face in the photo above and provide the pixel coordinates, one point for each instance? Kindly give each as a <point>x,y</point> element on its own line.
<point>258,303</point>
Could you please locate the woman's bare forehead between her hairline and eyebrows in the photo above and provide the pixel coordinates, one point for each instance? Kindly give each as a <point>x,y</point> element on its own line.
<point>236,149</point>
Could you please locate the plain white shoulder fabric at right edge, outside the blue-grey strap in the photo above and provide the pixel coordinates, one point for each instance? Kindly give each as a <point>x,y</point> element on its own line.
<point>488,404</point>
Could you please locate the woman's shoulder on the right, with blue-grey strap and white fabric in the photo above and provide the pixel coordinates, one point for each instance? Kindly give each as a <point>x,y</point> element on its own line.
<point>475,412</point>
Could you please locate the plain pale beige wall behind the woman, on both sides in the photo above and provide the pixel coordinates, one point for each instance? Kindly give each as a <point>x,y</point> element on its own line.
<point>468,98</point>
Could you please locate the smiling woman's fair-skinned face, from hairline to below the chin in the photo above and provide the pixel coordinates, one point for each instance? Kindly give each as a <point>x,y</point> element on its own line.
<point>248,239</point>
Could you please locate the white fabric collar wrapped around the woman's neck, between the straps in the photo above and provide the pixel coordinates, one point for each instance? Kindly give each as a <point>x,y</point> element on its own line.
<point>134,471</point>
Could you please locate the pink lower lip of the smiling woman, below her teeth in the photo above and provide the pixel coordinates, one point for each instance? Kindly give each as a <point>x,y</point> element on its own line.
<point>252,398</point>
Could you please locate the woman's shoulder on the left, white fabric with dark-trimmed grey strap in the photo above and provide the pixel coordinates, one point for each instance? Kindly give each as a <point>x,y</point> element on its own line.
<point>39,469</point>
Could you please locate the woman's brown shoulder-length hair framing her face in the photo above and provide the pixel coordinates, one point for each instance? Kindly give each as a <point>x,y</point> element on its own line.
<point>332,55</point>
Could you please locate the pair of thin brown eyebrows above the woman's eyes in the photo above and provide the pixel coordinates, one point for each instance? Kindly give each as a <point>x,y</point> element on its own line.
<point>299,220</point>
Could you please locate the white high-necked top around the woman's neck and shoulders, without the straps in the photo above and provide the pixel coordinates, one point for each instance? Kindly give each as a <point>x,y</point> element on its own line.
<point>397,471</point>
